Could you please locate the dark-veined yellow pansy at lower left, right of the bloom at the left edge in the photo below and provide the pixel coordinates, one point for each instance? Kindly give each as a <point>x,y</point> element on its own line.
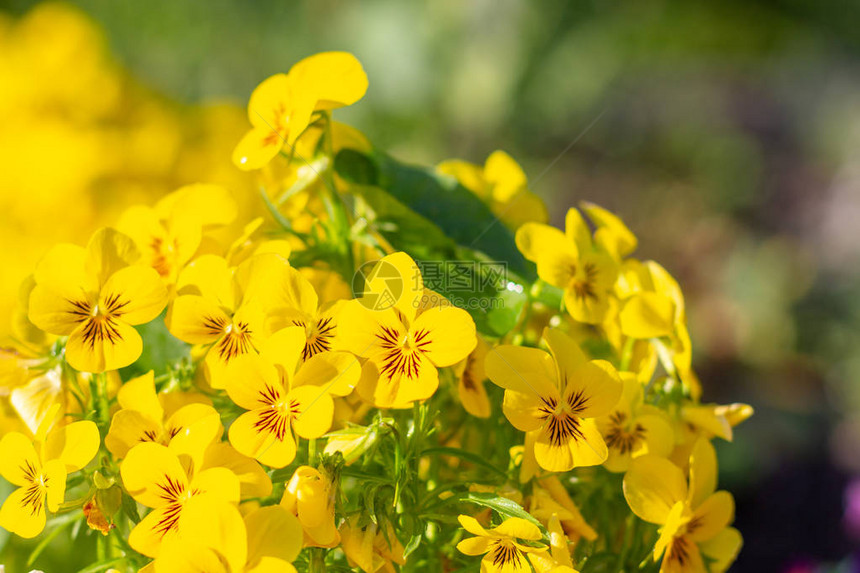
<point>155,477</point>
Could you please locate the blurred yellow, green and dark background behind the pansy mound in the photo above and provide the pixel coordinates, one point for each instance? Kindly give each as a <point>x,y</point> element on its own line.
<point>726,134</point>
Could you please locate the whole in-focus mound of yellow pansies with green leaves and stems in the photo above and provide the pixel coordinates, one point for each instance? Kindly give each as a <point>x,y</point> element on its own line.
<point>306,394</point>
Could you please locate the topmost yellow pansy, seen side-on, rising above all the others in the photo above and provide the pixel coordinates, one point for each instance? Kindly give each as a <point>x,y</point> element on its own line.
<point>282,106</point>
